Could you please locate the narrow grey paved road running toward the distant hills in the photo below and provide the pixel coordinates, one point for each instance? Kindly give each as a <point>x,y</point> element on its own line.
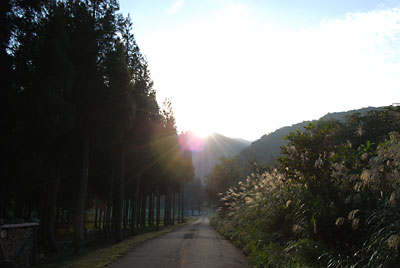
<point>194,245</point>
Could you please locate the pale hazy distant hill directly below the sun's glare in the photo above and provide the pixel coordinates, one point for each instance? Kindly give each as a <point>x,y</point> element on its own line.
<point>215,146</point>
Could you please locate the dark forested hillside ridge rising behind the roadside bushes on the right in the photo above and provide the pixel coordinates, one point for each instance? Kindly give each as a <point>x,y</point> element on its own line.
<point>268,146</point>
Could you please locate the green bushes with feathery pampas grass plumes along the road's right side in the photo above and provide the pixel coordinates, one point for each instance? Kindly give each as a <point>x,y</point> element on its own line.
<point>329,204</point>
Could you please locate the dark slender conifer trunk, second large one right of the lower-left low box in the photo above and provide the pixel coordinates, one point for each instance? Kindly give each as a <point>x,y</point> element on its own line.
<point>80,207</point>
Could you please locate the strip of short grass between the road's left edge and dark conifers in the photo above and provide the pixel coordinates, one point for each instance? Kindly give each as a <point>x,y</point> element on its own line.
<point>105,254</point>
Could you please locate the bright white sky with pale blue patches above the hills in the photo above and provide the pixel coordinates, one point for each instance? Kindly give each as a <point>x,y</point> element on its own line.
<point>246,68</point>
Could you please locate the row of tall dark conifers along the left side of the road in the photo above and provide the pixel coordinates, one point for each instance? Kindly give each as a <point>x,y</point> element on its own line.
<point>81,127</point>
